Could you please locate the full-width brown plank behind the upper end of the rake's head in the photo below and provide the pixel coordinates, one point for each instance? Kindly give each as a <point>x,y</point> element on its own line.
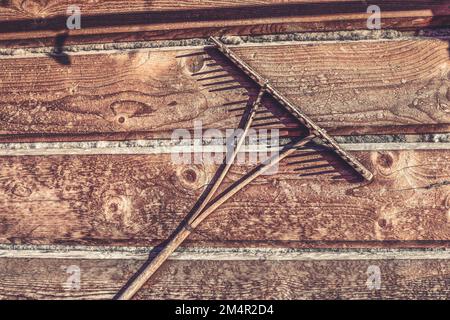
<point>349,88</point>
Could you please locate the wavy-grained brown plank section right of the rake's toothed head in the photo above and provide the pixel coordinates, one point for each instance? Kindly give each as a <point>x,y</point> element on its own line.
<point>361,84</point>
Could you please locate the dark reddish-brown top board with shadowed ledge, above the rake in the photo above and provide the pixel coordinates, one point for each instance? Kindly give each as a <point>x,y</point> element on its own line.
<point>39,22</point>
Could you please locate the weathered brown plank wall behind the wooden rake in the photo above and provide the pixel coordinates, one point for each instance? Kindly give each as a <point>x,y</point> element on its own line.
<point>331,225</point>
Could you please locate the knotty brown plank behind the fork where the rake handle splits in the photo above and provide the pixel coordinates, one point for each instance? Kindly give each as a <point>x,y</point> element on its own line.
<point>313,201</point>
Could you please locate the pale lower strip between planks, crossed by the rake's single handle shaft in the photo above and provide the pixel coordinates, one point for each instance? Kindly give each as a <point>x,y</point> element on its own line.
<point>217,253</point>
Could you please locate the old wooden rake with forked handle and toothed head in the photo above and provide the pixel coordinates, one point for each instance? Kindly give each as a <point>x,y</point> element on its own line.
<point>209,205</point>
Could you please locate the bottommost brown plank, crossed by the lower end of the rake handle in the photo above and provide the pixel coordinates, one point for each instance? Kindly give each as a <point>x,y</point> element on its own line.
<point>101,279</point>
